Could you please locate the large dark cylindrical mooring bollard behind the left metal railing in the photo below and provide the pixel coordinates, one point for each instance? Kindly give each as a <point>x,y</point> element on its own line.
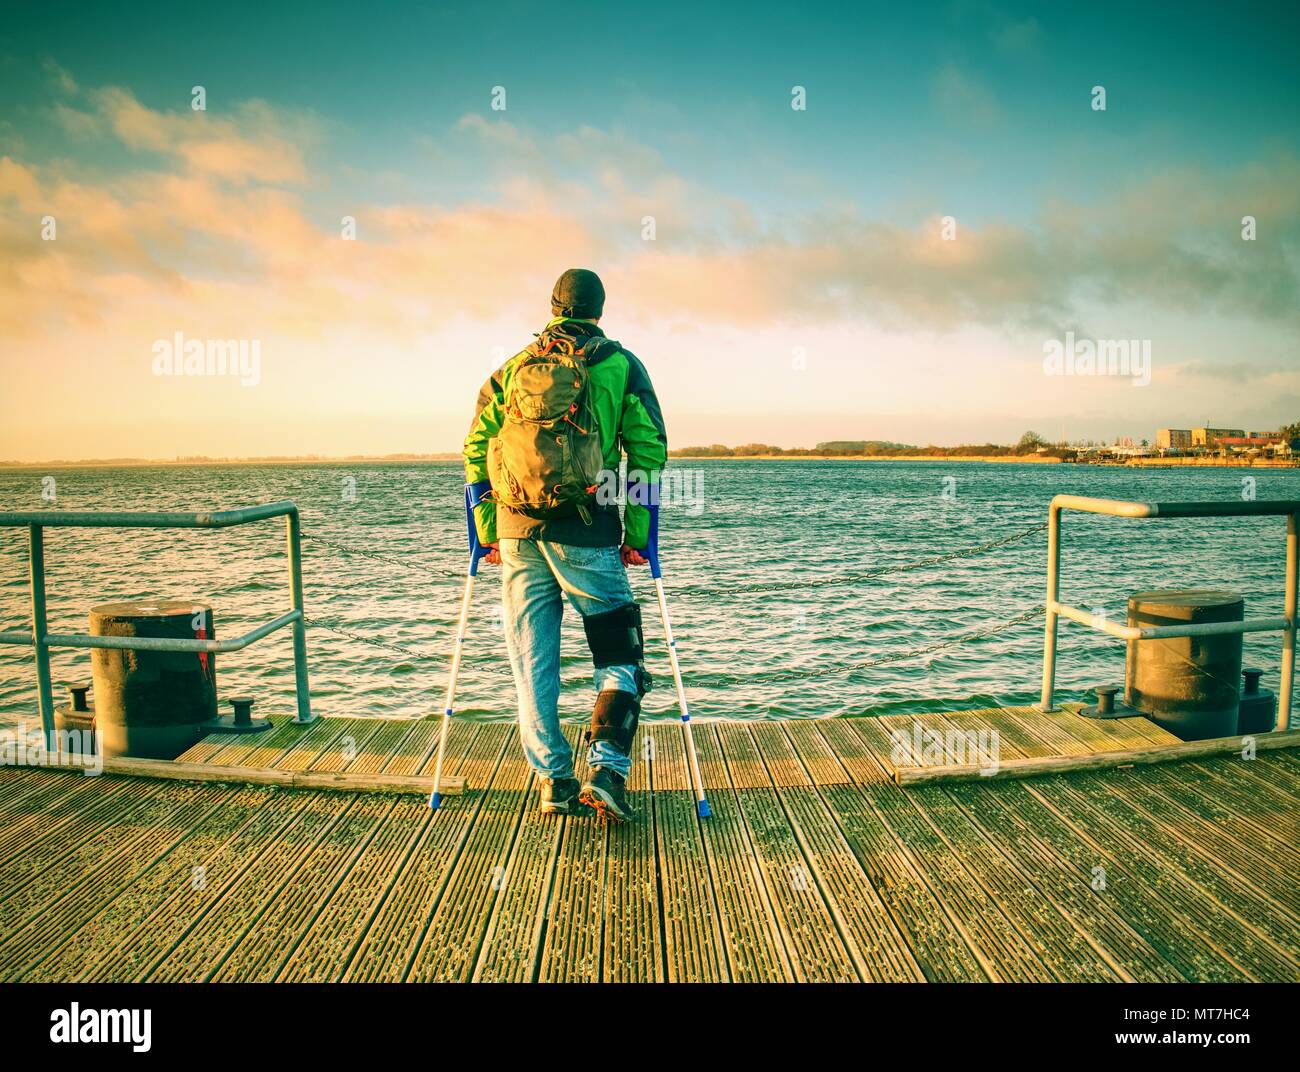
<point>153,704</point>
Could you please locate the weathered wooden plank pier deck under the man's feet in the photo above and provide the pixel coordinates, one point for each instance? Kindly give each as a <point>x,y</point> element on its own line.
<point>817,866</point>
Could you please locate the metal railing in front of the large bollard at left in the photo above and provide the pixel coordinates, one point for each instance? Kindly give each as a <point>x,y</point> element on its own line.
<point>42,640</point>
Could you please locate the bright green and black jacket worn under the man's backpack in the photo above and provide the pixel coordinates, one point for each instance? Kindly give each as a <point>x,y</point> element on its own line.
<point>631,423</point>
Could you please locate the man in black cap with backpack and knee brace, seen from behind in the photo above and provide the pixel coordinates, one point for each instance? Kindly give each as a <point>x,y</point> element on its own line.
<point>549,432</point>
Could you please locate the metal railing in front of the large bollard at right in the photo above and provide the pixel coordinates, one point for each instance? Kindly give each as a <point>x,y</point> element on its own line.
<point>1058,610</point>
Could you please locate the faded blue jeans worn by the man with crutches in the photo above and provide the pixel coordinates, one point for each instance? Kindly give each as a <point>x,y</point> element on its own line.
<point>536,578</point>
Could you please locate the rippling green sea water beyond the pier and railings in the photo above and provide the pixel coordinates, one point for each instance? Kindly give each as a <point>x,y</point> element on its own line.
<point>792,526</point>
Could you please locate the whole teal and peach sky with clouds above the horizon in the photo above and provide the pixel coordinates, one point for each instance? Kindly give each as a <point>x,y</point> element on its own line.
<point>889,262</point>
